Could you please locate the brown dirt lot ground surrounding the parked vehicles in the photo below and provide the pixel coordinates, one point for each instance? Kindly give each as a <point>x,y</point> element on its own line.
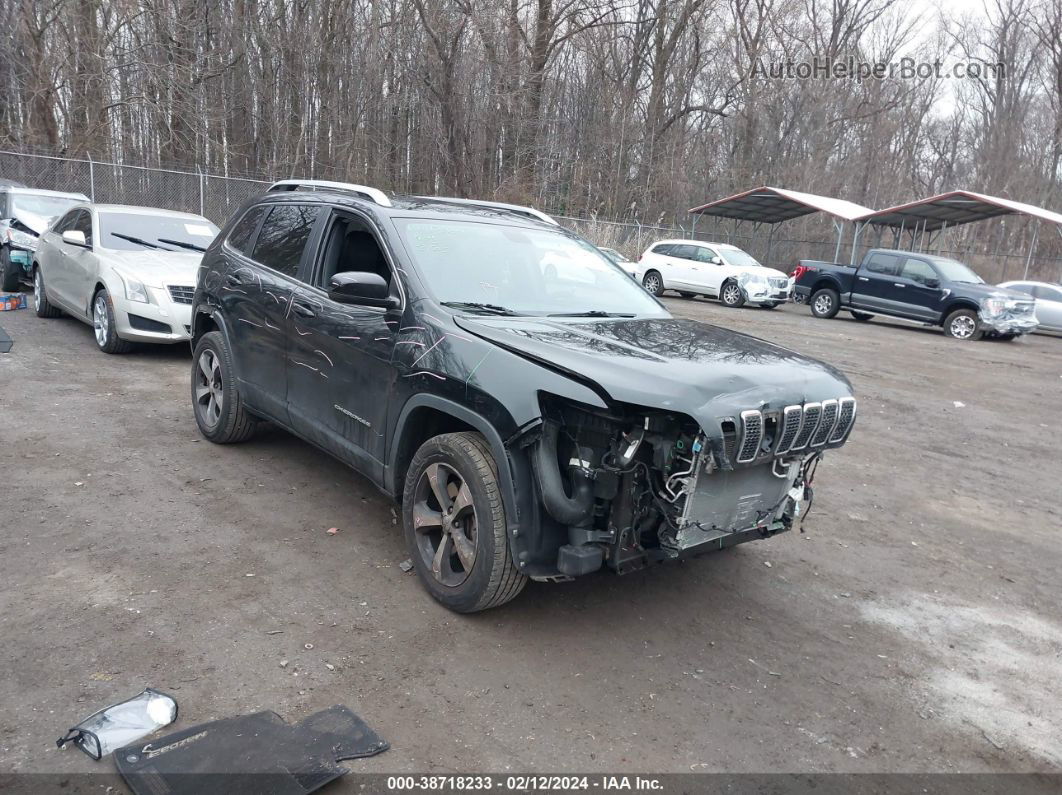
<point>915,627</point>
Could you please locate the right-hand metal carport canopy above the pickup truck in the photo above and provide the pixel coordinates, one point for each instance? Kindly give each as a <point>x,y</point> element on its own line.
<point>954,209</point>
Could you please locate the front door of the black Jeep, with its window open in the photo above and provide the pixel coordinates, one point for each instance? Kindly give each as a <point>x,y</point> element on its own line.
<point>340,376</point>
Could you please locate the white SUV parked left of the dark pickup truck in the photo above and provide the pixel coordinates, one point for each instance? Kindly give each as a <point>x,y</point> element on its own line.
<point>716,270</point>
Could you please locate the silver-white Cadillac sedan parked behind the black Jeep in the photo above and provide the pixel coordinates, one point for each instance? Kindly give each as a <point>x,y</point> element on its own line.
<point>129,271</point>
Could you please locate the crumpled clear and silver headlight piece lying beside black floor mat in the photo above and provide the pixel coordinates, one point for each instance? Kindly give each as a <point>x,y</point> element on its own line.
<point>123,723</point>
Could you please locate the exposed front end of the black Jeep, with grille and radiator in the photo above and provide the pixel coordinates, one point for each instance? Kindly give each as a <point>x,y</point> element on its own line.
<point>645,487</point>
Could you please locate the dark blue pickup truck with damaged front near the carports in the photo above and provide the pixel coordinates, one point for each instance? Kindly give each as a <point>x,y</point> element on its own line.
<point>915,287</point>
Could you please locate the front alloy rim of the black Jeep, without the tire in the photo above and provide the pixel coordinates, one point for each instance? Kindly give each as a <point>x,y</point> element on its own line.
<point>444,522</point>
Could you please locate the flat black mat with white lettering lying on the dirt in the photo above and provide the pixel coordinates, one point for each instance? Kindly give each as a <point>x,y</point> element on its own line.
<point>250,754</point>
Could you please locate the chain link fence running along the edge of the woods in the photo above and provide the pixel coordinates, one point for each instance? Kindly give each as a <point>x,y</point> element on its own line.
<point>217,197</point>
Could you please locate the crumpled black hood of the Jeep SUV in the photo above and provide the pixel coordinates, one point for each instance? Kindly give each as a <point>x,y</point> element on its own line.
<point>674,365</point>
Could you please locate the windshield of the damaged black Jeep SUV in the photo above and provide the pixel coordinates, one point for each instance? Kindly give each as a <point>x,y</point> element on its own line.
<point>521,270</point>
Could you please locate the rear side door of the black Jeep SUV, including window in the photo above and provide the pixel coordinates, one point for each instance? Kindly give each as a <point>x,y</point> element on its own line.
<point>265,254</point>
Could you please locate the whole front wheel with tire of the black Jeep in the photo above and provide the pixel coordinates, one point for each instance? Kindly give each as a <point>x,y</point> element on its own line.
<point>455,525</point>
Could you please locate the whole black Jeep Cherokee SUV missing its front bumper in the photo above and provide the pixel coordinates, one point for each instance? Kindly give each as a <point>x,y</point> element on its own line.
<point>537,413</point>
